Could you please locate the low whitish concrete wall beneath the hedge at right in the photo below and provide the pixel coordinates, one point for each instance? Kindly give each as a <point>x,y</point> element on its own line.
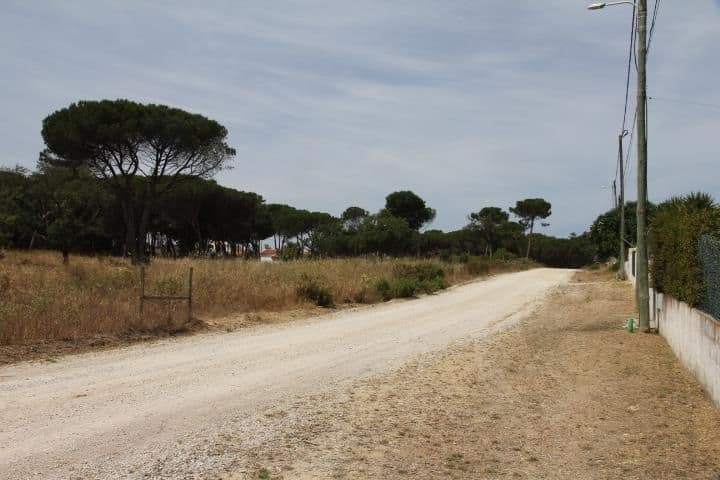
<point>693,335</point>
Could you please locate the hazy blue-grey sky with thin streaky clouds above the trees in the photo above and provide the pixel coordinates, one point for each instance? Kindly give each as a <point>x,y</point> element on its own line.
<point>333,103</point>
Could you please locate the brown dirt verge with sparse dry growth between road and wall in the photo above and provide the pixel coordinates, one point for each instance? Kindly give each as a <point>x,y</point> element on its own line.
<point>566,394</point>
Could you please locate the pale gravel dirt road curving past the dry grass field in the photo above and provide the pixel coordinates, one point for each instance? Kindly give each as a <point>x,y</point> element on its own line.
<point>186,408</point>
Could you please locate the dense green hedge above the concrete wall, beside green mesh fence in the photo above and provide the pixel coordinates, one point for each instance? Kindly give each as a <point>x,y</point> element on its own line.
<point>674,236</point>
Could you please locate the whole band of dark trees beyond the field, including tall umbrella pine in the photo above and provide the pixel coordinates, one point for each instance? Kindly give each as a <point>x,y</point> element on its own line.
<point>126,178</point>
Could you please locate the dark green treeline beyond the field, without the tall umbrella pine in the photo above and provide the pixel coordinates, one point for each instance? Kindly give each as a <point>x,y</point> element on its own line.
<point>73,211</point>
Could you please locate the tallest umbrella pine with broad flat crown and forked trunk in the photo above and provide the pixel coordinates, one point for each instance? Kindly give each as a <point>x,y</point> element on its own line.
<point>121,140</point>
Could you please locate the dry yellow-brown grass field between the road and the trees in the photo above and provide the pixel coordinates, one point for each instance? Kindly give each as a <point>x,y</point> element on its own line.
<point>42,299</point>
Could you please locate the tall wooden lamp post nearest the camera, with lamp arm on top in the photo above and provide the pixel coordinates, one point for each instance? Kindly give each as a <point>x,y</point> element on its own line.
<point>642,284</point>
